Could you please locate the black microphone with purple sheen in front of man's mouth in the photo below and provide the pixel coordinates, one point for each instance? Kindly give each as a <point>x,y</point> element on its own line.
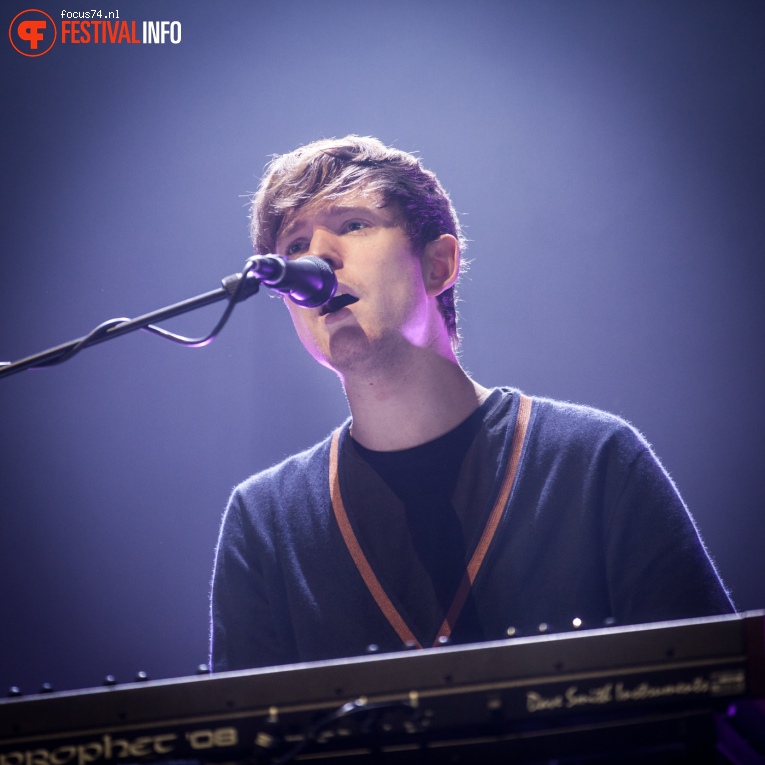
<point>307,281</point>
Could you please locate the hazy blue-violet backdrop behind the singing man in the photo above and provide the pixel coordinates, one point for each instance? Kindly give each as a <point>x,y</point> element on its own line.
<point>607,157</point>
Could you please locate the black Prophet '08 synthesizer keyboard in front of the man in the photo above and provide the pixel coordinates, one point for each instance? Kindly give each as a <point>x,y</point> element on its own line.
<point>633,689</point>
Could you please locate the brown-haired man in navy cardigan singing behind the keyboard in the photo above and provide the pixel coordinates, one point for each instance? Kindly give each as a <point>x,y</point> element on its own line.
<point>441,511</point>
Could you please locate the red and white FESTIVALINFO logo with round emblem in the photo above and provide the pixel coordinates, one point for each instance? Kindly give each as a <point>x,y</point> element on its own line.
<point>34,32</point>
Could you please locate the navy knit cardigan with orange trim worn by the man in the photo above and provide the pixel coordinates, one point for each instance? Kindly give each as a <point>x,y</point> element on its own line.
<point>593,529</point>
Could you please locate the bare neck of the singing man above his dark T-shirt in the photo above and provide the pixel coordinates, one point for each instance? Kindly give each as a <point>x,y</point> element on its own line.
<point>398,408</point>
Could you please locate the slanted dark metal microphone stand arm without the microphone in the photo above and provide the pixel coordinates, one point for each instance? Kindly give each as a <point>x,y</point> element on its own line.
<point>236,288</point>
